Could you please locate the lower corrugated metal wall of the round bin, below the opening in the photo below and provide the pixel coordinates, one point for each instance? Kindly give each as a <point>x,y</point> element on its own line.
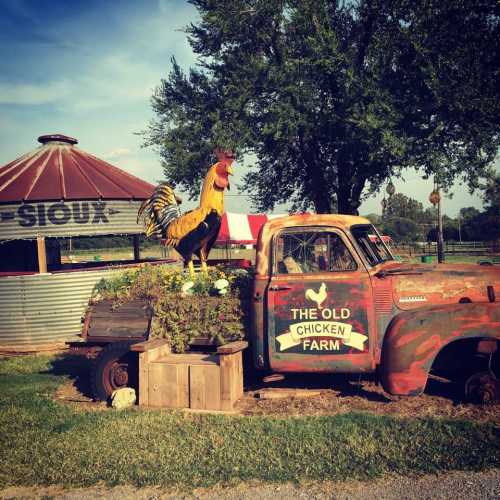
<point>43,309</point>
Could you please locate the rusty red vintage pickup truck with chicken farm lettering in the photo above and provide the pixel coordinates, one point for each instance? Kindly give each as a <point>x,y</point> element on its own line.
<point>329,297</point>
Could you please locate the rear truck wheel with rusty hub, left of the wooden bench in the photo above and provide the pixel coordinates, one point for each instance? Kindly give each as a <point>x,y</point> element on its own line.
<point>115,367</point>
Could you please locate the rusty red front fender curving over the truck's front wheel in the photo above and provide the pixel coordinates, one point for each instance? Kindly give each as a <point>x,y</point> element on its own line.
<point>414,338</point>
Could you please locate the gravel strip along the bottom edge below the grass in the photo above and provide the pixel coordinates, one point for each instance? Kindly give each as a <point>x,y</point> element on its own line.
<point>451,485</point>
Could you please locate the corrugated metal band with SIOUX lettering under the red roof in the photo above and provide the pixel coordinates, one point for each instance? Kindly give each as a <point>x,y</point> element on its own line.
<point>70,218</point>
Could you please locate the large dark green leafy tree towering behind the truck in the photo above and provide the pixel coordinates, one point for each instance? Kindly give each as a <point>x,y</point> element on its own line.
<point>333,97</point>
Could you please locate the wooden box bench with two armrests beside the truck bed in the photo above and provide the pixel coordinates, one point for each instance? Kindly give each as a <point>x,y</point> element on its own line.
<point>202,381</point>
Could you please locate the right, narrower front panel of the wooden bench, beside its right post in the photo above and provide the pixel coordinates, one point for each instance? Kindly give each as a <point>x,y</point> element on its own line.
<point>204,387</point>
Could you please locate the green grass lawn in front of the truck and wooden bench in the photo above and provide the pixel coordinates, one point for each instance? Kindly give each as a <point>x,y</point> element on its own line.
<point>43,442</point>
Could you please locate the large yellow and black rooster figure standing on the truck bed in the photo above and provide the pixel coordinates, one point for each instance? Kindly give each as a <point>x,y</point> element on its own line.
<point>195,231</point>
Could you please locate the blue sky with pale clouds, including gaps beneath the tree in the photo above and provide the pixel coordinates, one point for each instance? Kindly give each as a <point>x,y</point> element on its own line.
<point>87,69</point>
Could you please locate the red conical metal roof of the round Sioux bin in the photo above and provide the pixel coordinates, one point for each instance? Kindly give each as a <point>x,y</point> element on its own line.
<point>58,170</point>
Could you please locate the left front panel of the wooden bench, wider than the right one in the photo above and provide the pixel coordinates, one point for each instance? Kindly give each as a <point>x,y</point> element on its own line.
<point>168,385</point>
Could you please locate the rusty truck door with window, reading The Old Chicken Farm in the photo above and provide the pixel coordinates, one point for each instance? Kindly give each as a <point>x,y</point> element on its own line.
<point>319,304</point>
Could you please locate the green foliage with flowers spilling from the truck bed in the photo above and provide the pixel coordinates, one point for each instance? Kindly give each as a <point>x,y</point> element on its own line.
<point>182,316</point>
